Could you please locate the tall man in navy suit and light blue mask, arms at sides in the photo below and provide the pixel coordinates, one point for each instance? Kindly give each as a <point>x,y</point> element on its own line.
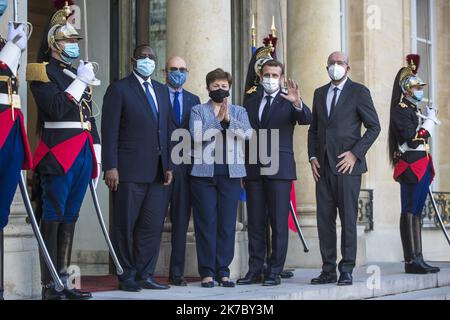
<point>136,129</point>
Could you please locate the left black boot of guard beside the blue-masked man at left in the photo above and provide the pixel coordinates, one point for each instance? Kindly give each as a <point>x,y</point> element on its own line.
<point>49,232</point>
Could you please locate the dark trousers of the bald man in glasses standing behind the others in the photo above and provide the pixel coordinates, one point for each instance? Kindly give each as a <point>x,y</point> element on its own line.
<point>180,212</point>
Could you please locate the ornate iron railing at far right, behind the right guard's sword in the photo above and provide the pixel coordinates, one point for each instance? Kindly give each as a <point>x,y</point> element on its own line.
<point>443,203</point>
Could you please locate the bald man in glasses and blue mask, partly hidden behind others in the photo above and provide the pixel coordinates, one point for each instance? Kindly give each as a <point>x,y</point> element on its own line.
<point>182,102</point>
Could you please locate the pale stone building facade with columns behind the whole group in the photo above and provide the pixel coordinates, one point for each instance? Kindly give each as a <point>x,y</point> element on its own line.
<point>376,34</point>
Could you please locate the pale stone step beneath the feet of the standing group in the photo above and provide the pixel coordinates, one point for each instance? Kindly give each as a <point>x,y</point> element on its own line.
<point>392,281</point>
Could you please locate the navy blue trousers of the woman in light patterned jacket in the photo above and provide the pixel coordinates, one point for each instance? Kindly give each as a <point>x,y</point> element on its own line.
<point>215,202</point>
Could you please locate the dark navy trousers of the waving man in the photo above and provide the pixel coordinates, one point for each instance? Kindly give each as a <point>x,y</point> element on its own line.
<point>272,198</point>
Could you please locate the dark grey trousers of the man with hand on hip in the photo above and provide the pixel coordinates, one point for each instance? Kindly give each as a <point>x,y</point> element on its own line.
<point>333,193</point>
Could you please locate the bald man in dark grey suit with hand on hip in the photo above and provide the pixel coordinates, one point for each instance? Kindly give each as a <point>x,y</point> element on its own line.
<point>337,155</point>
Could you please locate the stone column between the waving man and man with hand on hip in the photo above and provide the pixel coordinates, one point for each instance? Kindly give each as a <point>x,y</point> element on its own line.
<point>313,32</point>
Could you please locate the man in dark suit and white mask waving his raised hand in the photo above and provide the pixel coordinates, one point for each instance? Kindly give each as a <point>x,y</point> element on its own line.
<point>268,185</point>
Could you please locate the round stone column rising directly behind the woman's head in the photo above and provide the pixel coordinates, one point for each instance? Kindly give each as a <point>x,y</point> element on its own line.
<point>200,32</point>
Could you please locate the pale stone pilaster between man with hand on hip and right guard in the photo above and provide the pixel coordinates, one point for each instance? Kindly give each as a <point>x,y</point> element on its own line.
<point>379,34</point>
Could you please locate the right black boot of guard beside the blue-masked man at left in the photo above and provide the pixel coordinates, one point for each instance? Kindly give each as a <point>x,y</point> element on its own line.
<point>65,241</point>
